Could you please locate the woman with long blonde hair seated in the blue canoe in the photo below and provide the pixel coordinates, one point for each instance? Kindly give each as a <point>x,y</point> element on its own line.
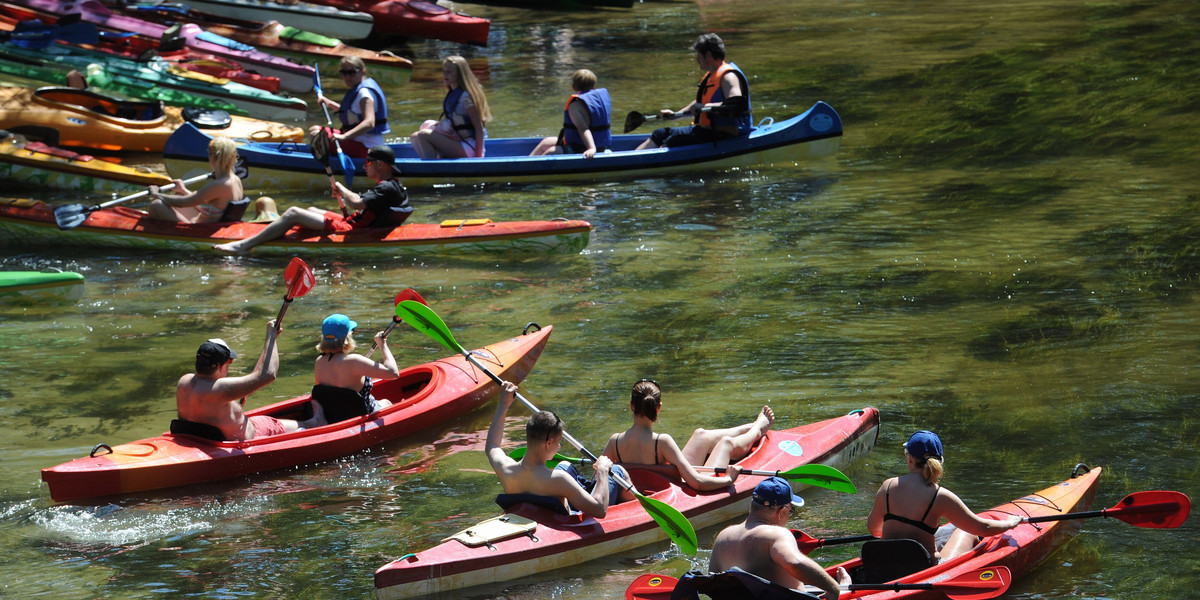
<point>461,131</point>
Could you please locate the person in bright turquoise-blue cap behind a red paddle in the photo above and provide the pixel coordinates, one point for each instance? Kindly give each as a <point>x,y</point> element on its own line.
<point>344,379</point>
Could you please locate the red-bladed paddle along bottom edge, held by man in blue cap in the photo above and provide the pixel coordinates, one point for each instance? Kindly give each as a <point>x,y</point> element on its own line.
<point>977,585</point>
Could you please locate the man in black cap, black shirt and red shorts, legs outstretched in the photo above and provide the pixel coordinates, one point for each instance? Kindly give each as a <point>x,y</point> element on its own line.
<point>383,206</point>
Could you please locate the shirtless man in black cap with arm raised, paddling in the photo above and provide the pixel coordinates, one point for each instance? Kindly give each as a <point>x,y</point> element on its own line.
<point>211,397</point>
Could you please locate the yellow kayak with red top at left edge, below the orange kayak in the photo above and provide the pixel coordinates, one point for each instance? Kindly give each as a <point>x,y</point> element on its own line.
<point>58,169</point>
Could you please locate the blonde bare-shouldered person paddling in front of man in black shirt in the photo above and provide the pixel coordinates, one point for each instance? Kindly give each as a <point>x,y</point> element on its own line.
<point>220,200</point>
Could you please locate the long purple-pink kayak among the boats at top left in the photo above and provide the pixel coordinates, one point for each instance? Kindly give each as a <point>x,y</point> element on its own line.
<point>293,77</point>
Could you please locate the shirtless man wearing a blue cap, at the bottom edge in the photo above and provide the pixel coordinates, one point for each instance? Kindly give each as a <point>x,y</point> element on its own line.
<point>765,547</point>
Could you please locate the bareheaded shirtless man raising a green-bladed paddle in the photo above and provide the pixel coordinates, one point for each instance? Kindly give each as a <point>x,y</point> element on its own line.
<point>544,436</point>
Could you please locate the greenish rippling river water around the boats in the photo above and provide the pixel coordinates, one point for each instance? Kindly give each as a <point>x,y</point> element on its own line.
<point>1004,250</point>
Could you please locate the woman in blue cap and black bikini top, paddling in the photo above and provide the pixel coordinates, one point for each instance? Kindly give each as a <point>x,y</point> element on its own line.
<point>911,506</point>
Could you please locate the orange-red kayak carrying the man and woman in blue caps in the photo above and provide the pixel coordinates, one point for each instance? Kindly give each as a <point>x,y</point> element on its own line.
<point>1021,549</point>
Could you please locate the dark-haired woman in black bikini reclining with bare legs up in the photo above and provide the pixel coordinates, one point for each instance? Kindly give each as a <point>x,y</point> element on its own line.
<point>710,448</point>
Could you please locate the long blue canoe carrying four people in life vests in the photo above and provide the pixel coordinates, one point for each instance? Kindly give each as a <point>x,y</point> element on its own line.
<point>291,166</point>
